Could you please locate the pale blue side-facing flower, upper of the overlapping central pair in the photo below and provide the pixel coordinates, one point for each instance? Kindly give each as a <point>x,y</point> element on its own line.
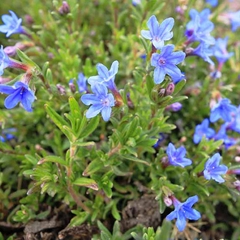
<point>105,76</point>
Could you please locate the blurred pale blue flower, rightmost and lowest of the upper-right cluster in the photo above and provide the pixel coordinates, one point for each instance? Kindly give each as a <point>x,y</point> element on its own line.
<point>219,50</point>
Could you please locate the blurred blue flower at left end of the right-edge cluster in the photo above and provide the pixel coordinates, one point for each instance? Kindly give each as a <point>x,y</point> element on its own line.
<point>203,130</point>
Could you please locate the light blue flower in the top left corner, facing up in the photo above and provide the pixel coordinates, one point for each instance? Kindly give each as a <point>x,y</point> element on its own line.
<point>12,24</point>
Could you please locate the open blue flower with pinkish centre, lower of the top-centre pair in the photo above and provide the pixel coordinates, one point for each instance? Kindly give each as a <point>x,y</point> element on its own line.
<point>166,62</point>
